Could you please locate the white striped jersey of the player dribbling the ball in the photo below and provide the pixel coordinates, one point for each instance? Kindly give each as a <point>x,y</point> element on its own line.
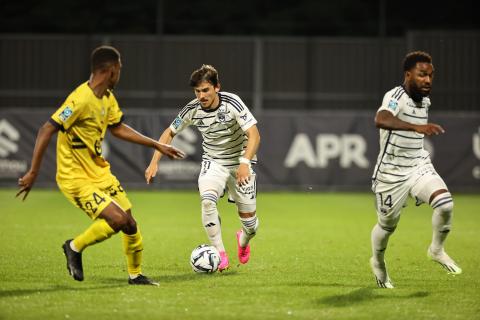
<point>222,129</point>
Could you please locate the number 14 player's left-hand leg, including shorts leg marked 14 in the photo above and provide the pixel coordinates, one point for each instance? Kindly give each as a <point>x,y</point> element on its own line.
<point>389,203</point>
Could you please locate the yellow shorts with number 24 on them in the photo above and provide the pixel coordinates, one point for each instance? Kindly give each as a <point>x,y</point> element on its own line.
<point>94,197</point>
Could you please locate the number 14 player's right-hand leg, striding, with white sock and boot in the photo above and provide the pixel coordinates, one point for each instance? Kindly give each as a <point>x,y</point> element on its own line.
<point>431,189</point>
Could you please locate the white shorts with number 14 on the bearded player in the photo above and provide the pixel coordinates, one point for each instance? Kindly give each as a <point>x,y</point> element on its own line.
<point>391,198</point>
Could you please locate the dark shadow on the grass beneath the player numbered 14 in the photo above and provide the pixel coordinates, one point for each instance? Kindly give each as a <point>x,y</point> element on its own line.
<point>366,294</point>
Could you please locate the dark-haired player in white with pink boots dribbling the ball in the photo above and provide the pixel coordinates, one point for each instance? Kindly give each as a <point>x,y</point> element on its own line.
<point>230,143</point>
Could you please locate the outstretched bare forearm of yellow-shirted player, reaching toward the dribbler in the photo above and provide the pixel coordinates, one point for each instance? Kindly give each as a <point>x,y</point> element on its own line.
<point>124,132</point>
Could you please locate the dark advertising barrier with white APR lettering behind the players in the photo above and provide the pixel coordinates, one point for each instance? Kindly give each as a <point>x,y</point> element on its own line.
<point>299,150</point>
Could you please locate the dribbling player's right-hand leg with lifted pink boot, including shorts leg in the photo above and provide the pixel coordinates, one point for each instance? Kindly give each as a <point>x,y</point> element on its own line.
<point>245,198</point>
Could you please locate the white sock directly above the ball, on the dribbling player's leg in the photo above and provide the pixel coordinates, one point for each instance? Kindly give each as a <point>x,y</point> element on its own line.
<point>211,221</point>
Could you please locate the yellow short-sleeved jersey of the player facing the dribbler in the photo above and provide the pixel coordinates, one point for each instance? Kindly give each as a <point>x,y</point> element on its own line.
<point>83,120</point>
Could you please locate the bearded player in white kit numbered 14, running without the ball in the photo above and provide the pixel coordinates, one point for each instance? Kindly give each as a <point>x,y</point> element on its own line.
<point>404,167</point>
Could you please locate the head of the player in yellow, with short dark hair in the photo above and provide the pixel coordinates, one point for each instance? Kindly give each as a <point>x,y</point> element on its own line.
<point>106,60</point>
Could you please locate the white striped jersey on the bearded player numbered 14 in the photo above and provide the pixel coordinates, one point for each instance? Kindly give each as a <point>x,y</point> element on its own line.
<point>401,152</point>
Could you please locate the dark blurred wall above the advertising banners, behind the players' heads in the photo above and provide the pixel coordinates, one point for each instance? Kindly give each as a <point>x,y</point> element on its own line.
<point>271,73</point>
